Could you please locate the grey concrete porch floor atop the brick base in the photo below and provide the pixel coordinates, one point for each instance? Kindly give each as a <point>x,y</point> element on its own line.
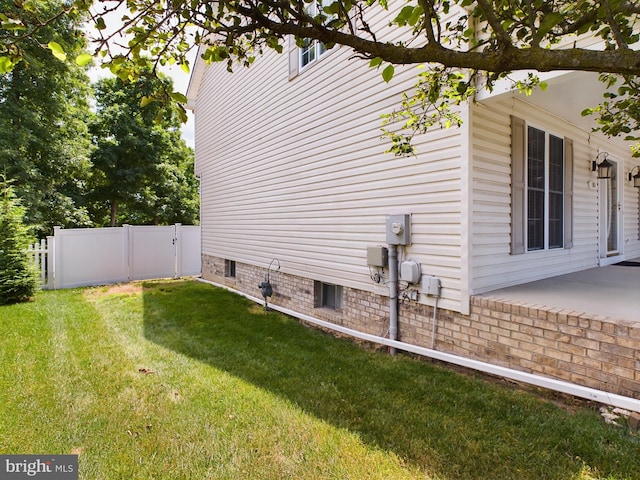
<point>612,291</point>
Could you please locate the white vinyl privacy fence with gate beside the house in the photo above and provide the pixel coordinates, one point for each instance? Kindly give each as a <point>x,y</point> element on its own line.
<point>80,257</point>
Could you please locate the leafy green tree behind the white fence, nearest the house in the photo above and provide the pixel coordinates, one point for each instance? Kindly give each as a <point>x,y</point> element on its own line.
<point>142,169</point>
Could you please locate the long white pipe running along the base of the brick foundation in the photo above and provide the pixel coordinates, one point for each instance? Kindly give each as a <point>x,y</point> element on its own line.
<point>591,394</point>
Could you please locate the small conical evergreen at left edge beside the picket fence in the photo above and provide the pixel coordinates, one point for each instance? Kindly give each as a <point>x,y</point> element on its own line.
<point>17,276</point>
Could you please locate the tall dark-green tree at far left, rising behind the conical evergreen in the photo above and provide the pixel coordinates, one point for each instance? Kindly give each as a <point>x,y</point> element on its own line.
<point>44,107</point>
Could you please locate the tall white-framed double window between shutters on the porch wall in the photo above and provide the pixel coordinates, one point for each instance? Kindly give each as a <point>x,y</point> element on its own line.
<point>545,190</point>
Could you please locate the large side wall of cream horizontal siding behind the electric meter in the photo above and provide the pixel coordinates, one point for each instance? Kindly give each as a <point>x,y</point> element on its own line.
<point>296,170</point>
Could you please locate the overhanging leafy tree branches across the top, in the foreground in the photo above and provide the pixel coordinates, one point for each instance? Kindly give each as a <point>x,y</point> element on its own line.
<point>487,40</point>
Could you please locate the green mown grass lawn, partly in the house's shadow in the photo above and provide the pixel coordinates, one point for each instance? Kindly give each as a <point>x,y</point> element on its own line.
<point>180,380</point>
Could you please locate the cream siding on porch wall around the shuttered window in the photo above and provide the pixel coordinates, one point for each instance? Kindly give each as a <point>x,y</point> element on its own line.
<point>492,264</point>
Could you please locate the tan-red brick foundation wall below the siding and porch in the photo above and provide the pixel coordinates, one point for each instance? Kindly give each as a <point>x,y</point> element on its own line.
<point>583,349</point>
